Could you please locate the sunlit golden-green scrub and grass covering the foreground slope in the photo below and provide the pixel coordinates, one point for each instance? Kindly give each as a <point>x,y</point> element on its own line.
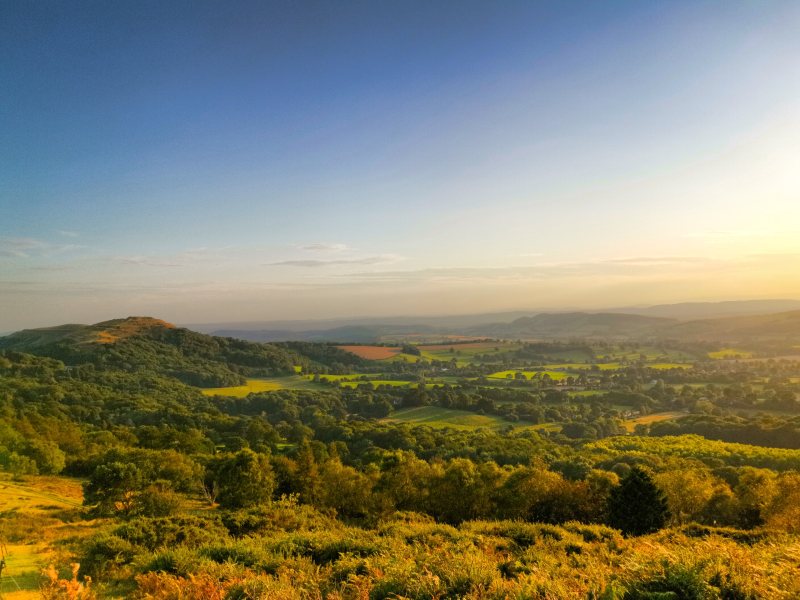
<point>286,551</point>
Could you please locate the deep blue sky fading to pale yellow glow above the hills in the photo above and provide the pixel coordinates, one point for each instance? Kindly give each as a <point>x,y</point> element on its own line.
<point>229,161</point>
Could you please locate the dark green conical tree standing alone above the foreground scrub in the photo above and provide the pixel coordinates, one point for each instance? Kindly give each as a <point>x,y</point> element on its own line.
<point>637,506</point>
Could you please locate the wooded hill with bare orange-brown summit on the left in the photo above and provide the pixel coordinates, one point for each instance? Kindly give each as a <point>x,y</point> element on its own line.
<point>144,344</point>
